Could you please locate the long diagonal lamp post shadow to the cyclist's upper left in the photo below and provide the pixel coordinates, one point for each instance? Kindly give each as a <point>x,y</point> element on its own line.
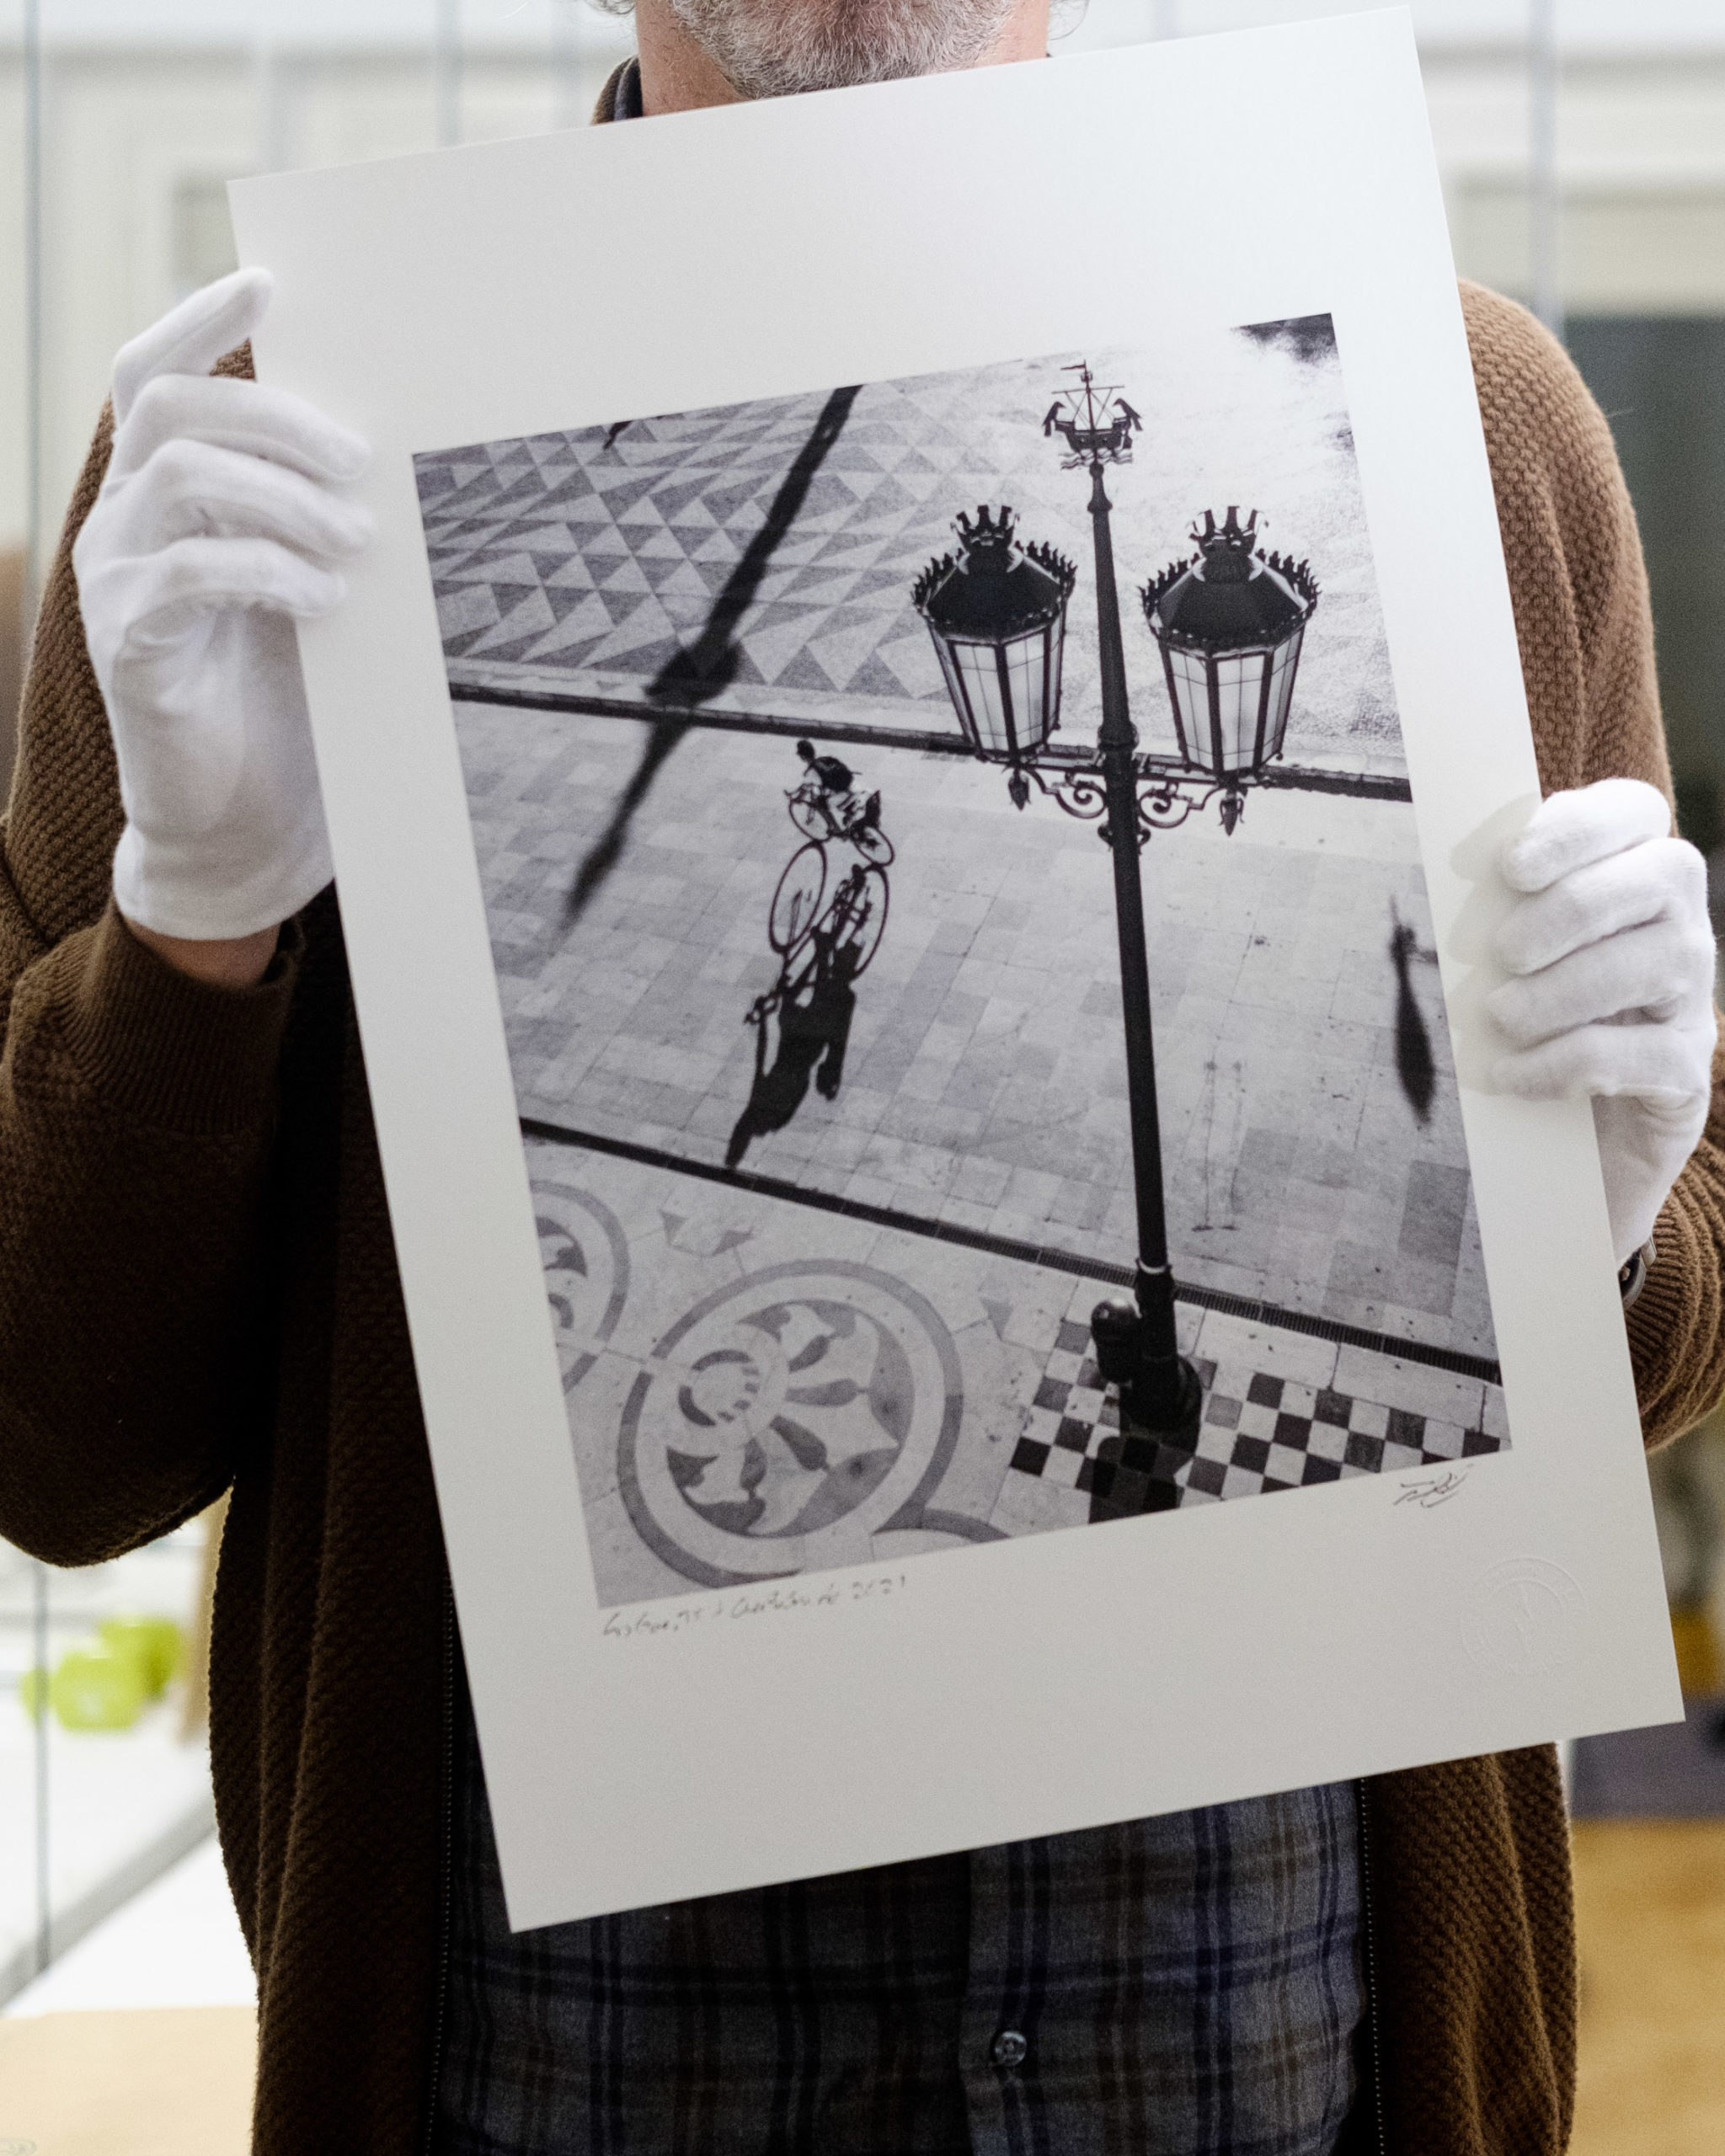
<point>710,665</point>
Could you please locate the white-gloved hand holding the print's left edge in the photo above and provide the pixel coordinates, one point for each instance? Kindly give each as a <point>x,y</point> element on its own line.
<point>215,529</point>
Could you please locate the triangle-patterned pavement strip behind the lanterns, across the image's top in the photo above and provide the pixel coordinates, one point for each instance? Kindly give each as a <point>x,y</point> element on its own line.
<point>581,566</point>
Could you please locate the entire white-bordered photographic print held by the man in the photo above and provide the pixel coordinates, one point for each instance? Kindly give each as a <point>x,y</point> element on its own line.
<point>907,803</point>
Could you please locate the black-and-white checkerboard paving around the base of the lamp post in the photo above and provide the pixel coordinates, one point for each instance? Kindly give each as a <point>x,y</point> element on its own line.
<point>1260,1433</point>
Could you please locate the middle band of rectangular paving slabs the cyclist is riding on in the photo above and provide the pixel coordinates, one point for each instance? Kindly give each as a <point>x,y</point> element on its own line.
<point>976,1070</point>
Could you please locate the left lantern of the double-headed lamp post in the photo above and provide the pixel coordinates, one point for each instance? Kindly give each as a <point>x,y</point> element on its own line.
<point>997,618</point>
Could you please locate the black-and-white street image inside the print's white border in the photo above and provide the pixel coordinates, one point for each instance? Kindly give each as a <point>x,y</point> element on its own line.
<point>965,956</point>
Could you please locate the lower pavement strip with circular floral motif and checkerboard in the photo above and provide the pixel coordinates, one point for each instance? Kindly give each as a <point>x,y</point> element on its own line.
<point>758,1390</point>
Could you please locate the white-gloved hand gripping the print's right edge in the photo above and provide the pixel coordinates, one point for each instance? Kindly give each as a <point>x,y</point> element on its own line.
<point>1612,965</point>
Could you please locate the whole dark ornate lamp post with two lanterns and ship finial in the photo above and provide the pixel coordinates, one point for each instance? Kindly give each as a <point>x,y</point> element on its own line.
<point>1230,628</point>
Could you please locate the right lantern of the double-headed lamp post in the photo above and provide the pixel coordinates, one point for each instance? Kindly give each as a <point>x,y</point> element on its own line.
<point>1230,624</point>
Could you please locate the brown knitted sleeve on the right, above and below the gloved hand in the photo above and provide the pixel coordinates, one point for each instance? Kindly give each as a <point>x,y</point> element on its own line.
<point>1588,657</point>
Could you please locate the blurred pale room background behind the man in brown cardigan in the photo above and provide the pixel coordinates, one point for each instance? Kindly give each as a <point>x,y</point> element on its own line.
<point>1584,161</point>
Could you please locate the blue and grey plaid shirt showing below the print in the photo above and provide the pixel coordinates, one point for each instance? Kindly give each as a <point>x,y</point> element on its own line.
<point>1178,1987</point>
